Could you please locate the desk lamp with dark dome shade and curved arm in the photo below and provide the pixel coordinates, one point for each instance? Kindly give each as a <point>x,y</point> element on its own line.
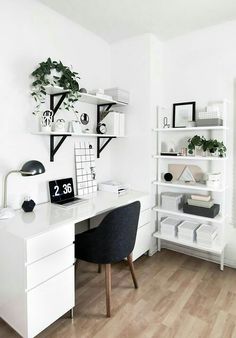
<point>30,168</point>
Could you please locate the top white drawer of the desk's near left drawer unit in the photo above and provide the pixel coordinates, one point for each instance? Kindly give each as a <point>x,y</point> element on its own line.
<point>49,242</point>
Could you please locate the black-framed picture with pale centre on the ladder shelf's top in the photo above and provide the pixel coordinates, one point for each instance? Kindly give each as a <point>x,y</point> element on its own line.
<point>183,113</point>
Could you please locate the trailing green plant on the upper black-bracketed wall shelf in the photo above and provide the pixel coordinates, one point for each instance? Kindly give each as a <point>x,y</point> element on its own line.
<point>56,74</point>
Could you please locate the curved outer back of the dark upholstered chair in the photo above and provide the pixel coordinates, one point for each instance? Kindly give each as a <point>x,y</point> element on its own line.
<point>117,233</point>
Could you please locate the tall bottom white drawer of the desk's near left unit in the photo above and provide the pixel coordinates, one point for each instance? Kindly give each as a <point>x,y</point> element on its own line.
<point>49,301</point>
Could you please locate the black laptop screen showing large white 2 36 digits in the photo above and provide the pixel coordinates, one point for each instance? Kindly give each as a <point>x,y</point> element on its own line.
<point>61,190</point>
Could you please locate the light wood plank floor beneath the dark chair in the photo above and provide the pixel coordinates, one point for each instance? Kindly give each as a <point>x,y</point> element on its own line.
<point>179,296</point>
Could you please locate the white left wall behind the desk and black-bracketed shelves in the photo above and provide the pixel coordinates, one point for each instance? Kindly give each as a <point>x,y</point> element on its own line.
<point>31,32</point>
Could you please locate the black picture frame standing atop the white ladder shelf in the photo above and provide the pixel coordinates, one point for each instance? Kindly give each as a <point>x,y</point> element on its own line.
<point>191,113</point>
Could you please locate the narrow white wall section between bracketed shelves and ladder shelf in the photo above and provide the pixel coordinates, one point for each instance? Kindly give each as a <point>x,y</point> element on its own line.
<point>133,69</point>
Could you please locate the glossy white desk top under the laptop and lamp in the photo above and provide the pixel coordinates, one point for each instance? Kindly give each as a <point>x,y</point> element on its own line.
<point>47,216</point>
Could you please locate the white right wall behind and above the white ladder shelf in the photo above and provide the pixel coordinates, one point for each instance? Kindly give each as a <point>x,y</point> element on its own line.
<point>201,67</point>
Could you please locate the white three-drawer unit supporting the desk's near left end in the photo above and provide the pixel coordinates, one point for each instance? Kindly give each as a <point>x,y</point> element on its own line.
<point>38,280</point>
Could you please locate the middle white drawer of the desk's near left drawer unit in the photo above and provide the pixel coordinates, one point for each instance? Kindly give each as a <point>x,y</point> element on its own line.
<point>49,266</point>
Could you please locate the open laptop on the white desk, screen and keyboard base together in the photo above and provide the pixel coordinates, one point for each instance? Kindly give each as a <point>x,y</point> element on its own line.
<point>62,192</point>
